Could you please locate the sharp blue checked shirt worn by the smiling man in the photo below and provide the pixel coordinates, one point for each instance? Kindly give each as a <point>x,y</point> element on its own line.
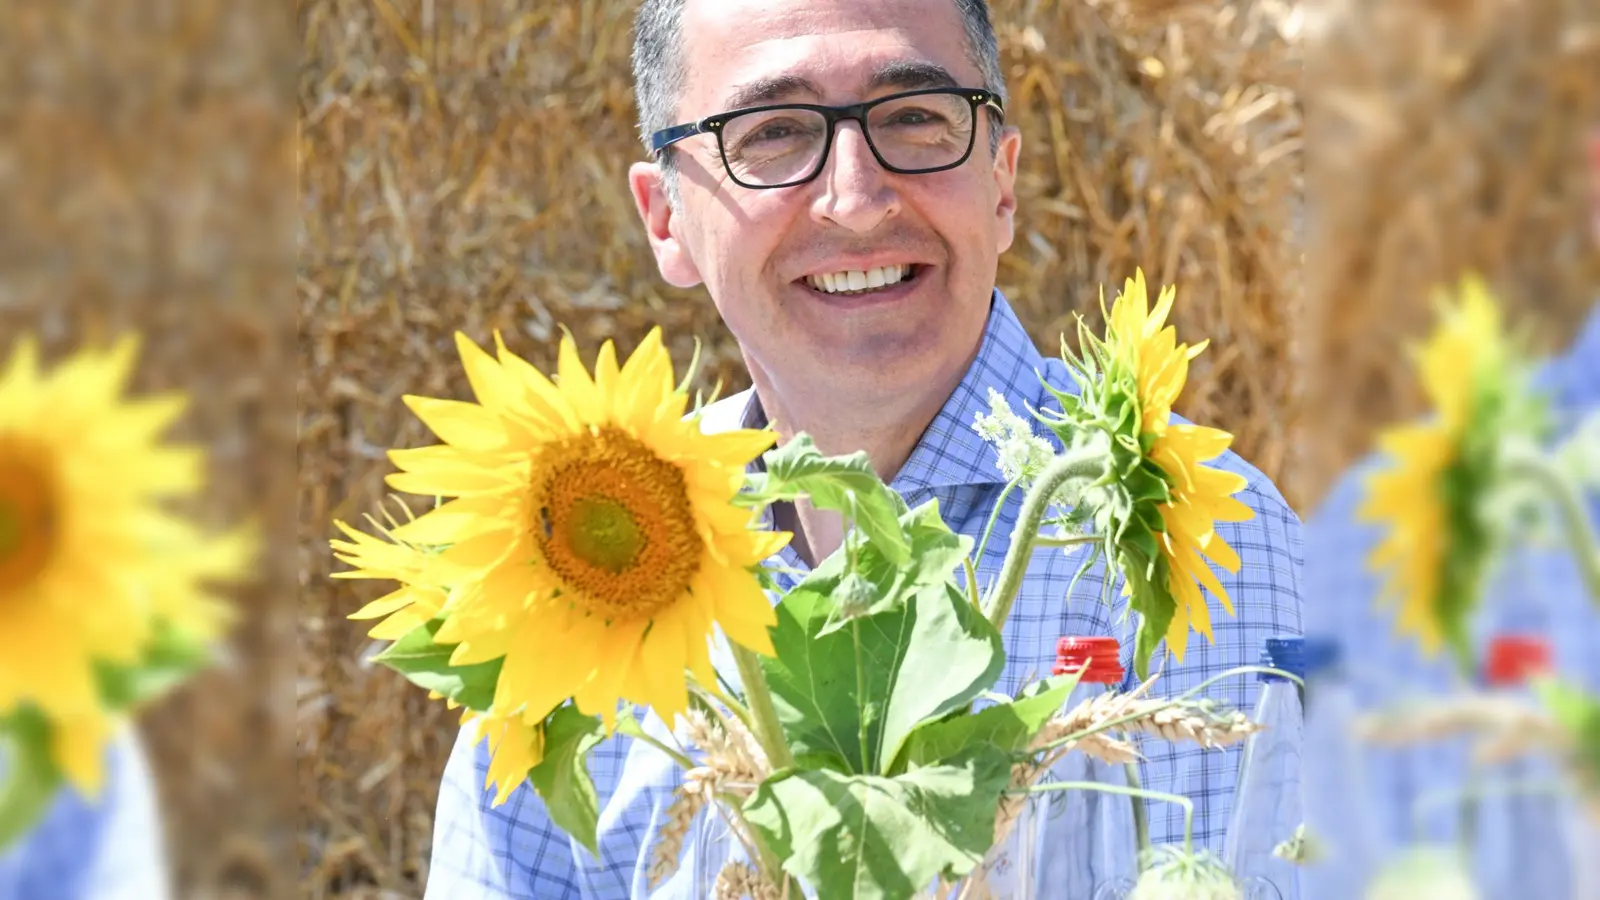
<point>514,853</point>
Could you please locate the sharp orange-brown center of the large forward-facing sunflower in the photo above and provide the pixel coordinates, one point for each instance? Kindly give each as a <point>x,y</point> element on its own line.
<point>617,526</point>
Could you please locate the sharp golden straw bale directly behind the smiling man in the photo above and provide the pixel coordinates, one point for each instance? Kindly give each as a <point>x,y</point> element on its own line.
<point>463,169</point>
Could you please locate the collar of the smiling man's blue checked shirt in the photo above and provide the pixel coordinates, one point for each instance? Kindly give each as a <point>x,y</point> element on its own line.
<point>951,452</point>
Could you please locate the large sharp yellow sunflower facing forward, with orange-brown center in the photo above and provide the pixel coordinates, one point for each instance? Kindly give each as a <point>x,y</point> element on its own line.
<point>593,542</point>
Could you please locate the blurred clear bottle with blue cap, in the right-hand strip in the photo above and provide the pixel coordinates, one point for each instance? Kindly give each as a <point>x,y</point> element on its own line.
<point>1340,800</point>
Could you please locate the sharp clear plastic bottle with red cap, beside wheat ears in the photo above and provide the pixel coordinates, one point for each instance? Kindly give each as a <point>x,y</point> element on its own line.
<point>1086,843</point>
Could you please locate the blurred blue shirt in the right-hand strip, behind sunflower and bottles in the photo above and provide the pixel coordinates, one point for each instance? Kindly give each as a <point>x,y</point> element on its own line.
<point>1538,590</point>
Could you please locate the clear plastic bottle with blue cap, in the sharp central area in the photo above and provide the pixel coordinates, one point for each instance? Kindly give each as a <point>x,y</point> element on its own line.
<point>1268,805</point>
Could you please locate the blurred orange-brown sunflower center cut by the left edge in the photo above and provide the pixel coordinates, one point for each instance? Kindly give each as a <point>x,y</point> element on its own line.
<point>28,515</point>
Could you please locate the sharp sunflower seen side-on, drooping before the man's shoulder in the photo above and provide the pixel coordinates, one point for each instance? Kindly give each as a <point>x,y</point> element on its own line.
<point>1161,504</point>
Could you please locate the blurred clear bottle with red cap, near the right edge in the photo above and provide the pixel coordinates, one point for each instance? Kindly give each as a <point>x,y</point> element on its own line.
<point>1526,822</point>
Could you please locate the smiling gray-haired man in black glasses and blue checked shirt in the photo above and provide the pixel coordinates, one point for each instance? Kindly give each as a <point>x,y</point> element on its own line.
<point>855,263</point>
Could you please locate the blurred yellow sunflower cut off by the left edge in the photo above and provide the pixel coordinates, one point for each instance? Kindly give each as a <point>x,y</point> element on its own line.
<point>92,563</point>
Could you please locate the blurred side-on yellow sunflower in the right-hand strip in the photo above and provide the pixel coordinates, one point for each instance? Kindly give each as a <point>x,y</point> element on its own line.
<point>1438,547</point>
